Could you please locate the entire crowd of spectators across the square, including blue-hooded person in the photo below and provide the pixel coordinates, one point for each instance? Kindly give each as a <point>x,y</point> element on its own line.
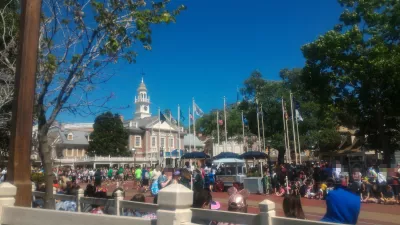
<point>312,181</point>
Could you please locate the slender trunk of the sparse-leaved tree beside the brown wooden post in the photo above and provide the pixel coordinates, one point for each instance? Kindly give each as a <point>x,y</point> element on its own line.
<point>49,201</point>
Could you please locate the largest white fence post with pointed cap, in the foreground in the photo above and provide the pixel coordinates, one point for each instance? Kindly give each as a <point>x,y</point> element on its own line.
<point>174,203</point>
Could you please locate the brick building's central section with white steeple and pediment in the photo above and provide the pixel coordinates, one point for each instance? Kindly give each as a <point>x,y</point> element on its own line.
<point>151,140</point>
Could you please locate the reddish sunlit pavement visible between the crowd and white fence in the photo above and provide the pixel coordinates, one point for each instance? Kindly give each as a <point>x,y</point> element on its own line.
<point>314,209</point>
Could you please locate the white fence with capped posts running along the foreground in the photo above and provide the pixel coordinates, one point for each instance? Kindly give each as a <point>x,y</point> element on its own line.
<point>173,208</point>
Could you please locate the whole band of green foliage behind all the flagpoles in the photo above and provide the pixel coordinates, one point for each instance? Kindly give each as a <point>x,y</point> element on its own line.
<point>317,129</point>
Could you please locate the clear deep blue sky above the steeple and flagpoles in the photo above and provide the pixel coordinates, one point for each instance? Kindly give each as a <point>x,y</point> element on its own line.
<point>213,48</point>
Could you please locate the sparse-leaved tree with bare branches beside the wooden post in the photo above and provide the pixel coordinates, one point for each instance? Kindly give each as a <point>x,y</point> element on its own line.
<point>77,42</point>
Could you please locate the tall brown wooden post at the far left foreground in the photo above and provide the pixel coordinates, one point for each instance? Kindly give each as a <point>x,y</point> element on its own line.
<point>19,165</point>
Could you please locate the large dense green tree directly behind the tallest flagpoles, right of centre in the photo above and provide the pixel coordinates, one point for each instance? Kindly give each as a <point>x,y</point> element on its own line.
<point>319,125</point>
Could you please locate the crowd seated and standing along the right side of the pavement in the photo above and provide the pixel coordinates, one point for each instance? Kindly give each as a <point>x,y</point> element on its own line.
<point>315,181</point>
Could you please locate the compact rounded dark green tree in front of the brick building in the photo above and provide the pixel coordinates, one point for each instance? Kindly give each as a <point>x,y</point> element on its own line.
<point>108,137</point>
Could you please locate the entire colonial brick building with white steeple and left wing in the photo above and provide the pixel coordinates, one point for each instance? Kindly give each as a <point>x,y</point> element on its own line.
<point>151,141</point>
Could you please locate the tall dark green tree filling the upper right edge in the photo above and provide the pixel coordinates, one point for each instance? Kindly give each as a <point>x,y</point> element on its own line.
<point>355,68</point>
